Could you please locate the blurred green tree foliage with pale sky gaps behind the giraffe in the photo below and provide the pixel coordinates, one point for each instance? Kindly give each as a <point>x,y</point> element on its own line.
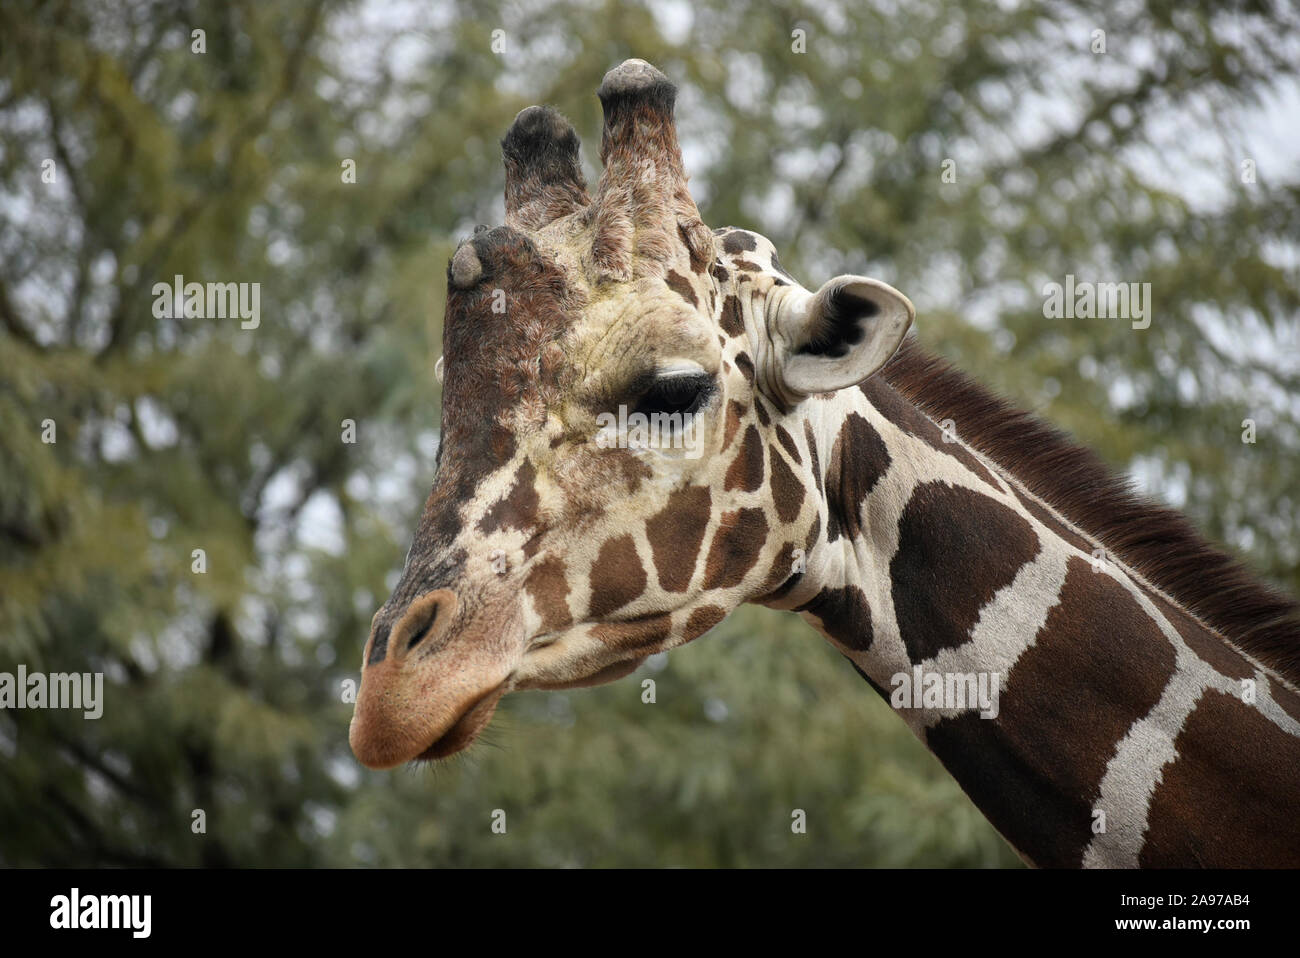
<point>333,153</point>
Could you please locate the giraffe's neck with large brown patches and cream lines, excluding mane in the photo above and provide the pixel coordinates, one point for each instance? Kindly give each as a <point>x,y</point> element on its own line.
<point>1090,717</point>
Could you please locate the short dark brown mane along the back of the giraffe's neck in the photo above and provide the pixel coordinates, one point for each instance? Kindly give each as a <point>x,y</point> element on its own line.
<point>1159,543</point>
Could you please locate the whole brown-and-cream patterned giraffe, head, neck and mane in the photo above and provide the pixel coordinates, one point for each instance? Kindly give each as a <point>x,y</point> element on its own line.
<point>1147,687</point>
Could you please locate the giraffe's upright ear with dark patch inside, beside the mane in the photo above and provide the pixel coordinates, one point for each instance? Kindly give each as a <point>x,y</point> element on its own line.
<point>839,336</point>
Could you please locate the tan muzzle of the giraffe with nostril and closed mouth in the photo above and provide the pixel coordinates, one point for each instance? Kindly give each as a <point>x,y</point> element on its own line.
<point>428,687</point>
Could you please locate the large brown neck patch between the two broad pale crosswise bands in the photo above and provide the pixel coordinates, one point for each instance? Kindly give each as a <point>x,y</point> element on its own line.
<point>1037,769</point>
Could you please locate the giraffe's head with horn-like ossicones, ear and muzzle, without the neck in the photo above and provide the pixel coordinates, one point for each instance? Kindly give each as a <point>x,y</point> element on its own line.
<point>623,458</point>
